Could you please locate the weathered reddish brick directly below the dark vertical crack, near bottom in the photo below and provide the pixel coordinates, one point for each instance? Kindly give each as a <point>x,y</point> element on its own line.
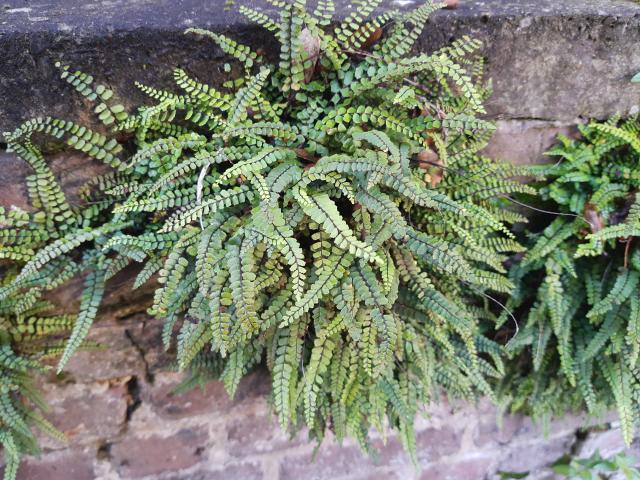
<point>136,457</point>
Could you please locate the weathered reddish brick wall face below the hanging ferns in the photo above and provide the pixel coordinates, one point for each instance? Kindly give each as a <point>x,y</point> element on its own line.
<point>124,422</point>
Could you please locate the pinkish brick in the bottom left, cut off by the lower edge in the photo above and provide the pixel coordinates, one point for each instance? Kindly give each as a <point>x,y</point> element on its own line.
<point>71,464</point>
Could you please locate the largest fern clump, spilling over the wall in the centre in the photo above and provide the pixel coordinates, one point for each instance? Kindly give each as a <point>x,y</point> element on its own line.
<point>329,215</point>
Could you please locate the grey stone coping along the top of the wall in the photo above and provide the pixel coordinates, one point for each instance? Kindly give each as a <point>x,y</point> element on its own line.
<point>549,60</point>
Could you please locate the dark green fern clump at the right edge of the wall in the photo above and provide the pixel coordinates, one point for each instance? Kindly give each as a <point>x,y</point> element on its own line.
<point>576,287</point>
